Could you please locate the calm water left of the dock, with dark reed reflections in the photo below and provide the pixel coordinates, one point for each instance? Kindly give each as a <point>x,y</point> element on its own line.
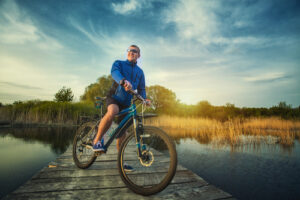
<point>25,151</point>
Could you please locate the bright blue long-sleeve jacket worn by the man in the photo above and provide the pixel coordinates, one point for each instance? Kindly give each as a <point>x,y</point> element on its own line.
<point>132,73</point>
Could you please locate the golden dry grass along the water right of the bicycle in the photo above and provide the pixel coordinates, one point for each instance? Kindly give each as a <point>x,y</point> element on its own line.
<point>234,132</point>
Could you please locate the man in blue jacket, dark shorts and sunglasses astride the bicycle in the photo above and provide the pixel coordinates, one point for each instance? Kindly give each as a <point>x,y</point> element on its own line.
<point>118,98</point>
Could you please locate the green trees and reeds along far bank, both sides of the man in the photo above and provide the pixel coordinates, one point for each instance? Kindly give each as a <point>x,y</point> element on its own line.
<point>163,99</point>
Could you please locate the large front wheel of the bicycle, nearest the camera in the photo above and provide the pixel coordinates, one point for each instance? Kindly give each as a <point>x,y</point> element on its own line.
<point>162,178</point>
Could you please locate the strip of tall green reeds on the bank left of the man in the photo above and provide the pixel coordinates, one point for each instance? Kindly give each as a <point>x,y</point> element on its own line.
<point>46,112</point>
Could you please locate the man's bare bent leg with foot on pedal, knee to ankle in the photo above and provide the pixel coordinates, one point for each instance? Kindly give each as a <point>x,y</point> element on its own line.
<point>106,121</point>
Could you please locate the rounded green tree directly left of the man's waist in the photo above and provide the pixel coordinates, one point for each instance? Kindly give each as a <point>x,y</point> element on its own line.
<point>100,88</point>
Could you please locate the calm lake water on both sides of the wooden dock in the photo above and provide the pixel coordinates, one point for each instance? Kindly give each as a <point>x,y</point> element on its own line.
<point>250,172</point>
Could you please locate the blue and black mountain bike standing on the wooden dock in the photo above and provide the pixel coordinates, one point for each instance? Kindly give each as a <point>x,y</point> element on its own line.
<point>149,150</point>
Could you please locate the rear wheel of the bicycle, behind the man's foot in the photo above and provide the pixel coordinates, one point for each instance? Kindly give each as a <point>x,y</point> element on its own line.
<point>82,137</point>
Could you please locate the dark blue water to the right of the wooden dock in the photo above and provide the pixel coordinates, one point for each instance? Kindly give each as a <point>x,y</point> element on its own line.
<point>251,172</point>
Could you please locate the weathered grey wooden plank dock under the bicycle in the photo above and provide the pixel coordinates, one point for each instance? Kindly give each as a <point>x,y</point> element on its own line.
<point>61,179</point>
